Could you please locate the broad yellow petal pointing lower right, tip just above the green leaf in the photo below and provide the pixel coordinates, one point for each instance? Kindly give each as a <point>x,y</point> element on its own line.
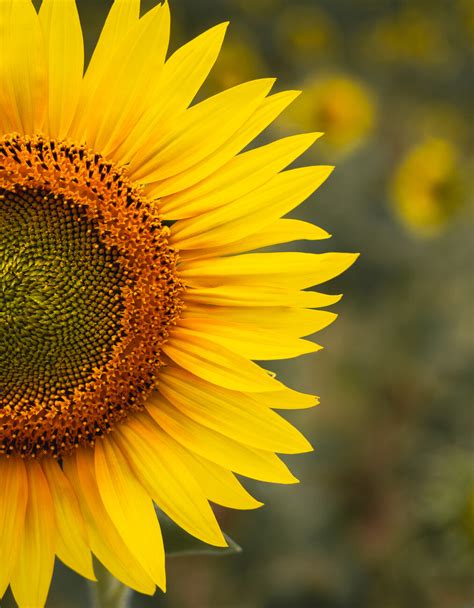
<point>158,463</point>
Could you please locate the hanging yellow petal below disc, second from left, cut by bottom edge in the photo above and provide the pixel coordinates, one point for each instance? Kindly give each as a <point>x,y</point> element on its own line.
<point>32,574</point>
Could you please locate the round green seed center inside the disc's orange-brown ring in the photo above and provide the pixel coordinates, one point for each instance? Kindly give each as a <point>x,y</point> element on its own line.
<point>60,296</point>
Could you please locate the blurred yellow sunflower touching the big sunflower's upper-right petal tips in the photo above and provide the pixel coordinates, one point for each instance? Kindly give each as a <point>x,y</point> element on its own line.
<point>341,106</point>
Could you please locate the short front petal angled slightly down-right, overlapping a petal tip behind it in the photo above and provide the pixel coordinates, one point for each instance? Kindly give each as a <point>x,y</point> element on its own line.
<point>217,364</point>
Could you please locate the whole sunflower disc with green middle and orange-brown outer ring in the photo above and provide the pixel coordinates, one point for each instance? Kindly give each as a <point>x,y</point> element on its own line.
<point>88,292</point>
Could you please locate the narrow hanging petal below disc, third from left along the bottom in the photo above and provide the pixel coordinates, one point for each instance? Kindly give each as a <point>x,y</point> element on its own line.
<point>72,545</point>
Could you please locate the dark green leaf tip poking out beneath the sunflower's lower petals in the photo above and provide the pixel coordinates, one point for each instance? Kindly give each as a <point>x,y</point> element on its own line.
<point>178,542</point>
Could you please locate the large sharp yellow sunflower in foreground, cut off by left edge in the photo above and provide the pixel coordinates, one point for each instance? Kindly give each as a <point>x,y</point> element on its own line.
<point>130,313</point>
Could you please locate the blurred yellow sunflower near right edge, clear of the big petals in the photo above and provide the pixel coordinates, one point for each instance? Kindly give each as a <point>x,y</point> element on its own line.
<point>428,187</point>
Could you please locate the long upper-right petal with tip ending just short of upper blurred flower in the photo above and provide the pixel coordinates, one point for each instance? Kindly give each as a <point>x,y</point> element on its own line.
<point>198,132</point>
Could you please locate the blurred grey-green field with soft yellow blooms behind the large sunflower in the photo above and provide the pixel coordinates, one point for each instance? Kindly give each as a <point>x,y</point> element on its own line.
<point>384,514</point>
